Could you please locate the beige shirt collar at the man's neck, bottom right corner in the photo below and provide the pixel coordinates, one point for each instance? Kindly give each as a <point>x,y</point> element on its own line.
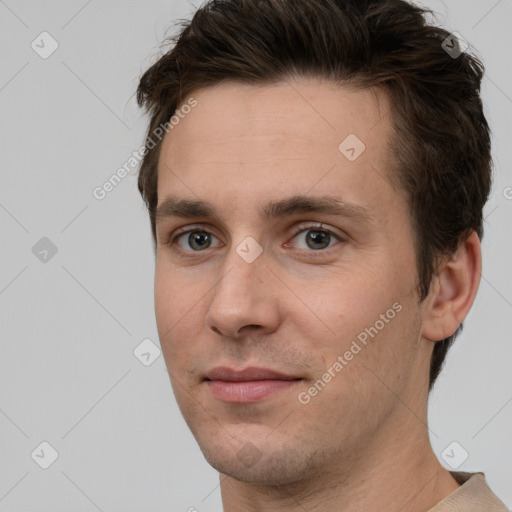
<point>474,495</point>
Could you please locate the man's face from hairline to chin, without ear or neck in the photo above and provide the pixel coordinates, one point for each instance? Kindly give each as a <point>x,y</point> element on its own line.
<point>284,246</point>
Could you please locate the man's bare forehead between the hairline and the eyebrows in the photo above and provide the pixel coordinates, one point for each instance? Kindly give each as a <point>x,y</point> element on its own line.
<point>276,140</point>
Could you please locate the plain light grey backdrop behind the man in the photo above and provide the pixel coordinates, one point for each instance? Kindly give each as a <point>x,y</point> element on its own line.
<point>69,325</point>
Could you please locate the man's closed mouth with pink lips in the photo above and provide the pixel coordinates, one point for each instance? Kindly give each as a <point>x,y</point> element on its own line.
<point>247,386</point>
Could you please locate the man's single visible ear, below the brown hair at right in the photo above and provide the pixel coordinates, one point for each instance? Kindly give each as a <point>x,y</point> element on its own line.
<point>453,290</point>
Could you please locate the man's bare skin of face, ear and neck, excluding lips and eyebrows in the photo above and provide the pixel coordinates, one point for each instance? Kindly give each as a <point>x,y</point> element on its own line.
<point>295,309</point>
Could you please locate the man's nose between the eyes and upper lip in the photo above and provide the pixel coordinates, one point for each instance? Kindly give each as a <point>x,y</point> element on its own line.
<point>244,299</point>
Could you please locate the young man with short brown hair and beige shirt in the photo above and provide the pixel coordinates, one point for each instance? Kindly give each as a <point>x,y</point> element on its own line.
<point>316,206</point>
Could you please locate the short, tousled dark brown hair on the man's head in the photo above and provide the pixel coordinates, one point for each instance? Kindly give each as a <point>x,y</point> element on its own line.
<point>442,139</point>
